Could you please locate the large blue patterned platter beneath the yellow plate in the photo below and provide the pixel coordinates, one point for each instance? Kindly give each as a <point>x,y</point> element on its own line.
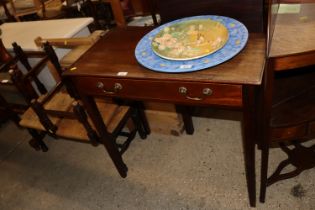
<point>237,39</point>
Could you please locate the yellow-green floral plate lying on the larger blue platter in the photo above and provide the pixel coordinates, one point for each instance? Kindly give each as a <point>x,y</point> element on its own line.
<point>190,39</point>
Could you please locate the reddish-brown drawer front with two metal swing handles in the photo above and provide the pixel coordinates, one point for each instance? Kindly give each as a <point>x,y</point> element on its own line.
<point>170,91</point>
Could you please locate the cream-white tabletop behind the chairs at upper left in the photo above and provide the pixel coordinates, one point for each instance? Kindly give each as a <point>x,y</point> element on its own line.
<point>24,33</point>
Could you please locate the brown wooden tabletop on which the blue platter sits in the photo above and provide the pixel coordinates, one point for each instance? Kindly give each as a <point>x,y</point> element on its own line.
<point>113,56</point>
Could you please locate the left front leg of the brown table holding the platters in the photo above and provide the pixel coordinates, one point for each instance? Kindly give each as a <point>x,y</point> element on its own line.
<point>107,140</point>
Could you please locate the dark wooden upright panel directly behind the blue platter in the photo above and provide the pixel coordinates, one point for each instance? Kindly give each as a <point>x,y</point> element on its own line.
<point>249,12</point>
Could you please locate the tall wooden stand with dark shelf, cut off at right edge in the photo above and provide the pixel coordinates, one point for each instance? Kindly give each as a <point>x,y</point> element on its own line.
<point>289,99</point>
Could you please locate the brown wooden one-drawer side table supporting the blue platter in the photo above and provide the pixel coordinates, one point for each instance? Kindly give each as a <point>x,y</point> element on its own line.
<point>233,84</point>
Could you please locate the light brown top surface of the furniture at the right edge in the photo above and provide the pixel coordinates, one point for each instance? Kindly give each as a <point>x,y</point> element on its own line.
<point>294,31</point>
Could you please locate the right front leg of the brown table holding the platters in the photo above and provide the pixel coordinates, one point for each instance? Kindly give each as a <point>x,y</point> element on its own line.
<point>248,126</point>
